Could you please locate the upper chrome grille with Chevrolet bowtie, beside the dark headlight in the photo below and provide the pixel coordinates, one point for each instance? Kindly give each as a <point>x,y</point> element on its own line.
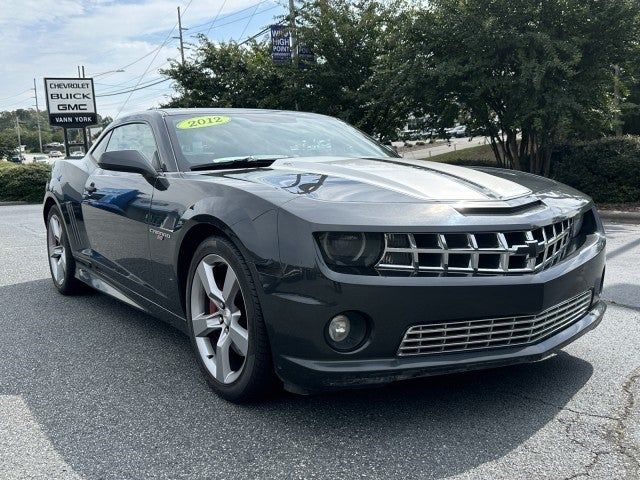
<point>491,253</point>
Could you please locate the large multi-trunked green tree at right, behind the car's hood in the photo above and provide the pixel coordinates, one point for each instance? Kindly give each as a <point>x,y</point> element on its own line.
<point>525,73</point>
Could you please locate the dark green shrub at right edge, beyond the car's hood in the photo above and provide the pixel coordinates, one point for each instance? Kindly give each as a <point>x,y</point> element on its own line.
<point>607,169</point>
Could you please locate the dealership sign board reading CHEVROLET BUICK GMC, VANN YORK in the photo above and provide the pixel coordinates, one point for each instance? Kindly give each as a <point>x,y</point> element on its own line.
<point>71,102</point>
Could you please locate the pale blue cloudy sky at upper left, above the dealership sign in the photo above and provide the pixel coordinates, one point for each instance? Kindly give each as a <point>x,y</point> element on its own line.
<point>50,38</point>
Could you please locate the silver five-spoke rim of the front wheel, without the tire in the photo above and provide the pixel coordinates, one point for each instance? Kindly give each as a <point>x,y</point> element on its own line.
<point>219,319</point>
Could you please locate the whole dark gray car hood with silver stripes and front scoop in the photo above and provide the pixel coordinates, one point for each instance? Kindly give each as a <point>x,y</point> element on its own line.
<point>396,191</point>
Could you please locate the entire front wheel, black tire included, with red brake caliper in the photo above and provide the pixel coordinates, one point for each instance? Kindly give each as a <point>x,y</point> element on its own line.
<point>225,323</point>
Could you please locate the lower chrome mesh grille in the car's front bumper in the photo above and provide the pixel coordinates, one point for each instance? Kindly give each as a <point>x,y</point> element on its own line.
<point>493,333</point>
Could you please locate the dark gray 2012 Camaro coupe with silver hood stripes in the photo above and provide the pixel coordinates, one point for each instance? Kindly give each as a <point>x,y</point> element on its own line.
<point>291,246</point>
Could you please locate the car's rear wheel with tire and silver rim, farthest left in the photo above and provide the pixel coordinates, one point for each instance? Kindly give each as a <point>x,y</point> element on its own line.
<point>61,262</point>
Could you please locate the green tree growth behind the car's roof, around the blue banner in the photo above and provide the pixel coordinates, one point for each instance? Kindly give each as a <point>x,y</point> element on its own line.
<point>348,39</point>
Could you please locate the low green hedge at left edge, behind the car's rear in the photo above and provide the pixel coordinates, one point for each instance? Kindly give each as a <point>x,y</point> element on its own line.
<point>23,182</point>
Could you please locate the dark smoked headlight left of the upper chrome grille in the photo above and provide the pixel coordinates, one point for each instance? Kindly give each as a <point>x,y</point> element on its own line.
<point>351,249</point>
